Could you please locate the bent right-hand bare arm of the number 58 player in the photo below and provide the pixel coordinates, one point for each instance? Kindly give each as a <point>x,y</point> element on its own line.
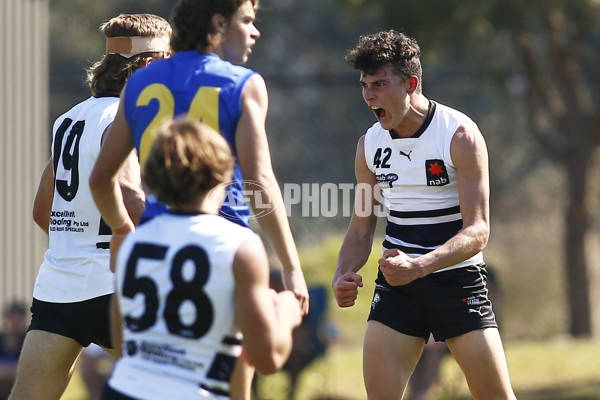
<point>266,318</point>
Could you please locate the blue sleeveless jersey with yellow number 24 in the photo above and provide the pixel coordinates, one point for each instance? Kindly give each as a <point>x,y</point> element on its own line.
<point>201,85</point>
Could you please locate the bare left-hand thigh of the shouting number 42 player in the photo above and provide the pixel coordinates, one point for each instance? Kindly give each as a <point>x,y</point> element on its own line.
<point>389,358</point>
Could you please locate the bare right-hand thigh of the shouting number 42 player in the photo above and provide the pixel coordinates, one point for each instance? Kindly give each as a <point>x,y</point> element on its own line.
<point>481,357</point>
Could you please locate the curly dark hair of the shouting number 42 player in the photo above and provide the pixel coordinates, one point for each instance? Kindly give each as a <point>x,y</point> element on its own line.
<point>389,48</point>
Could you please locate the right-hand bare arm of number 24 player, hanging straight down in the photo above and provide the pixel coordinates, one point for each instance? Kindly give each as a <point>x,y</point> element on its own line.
<point>255,162</point>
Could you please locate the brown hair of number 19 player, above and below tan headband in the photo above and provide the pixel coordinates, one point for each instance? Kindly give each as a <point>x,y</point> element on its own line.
<point>109,75</point>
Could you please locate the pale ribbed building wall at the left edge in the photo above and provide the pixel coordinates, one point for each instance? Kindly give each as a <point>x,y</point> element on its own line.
<point>24,147</point>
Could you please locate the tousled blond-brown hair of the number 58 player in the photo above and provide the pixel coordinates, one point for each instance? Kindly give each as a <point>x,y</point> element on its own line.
<point>186,161</point>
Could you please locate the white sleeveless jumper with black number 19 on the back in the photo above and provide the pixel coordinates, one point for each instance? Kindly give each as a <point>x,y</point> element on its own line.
<point>76,264</point>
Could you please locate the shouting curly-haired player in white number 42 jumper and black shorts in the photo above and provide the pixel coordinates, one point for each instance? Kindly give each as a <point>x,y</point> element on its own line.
<point>430,163</point>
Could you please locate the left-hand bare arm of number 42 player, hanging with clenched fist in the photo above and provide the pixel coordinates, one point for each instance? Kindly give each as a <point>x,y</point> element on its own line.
<point>358,241</point>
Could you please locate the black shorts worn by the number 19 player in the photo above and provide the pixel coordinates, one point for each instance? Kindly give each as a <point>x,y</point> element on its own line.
<point>85,321</point>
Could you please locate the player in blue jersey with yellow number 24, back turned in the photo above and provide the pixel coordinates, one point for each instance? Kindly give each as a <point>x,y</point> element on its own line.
<point>204,80</point>
